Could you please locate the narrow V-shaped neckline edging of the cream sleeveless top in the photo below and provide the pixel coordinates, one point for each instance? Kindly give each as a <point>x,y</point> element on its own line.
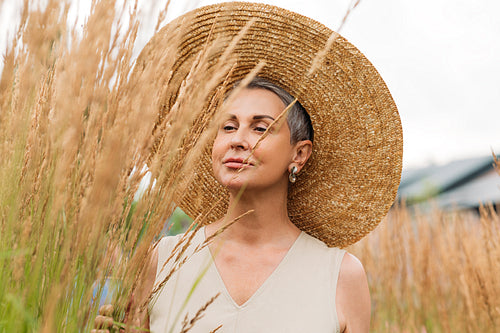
<point>262,286</point>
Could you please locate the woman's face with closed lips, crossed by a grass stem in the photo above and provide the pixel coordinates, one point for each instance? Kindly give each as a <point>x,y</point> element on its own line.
<point>248,117</point>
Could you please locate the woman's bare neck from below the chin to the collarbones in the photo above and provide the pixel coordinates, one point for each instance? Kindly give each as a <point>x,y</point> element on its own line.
<point>268,221</point>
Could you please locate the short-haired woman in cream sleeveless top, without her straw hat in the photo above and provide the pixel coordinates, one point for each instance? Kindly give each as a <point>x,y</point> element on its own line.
<point>250,270</point>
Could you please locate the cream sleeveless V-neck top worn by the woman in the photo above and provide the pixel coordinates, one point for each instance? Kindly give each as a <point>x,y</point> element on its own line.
<point>299,296</point>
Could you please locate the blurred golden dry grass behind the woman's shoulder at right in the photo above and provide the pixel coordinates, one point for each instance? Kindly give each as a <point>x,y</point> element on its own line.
<point>434,272</point>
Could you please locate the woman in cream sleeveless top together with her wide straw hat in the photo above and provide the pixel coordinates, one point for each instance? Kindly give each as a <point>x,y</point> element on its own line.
<point>301,189</point>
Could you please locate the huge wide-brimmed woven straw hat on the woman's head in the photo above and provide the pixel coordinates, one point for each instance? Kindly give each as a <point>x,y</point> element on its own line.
<point>351,179</point>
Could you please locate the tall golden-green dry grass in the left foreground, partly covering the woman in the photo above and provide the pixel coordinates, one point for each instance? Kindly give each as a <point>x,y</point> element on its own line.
<point>76,126</point>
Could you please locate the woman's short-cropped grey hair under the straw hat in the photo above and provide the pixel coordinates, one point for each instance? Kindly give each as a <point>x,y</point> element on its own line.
<point>298,119</point>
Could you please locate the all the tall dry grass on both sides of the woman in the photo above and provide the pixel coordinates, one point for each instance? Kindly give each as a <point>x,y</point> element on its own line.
<point>78,136</point>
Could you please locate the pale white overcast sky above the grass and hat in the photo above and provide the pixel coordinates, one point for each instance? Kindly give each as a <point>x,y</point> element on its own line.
<point>439,58</point>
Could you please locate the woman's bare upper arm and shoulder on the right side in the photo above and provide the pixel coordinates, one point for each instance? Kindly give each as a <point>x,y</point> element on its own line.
<point>353,297</point>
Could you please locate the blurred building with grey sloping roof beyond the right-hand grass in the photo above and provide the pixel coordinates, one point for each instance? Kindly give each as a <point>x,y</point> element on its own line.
<point>462,184</point>
